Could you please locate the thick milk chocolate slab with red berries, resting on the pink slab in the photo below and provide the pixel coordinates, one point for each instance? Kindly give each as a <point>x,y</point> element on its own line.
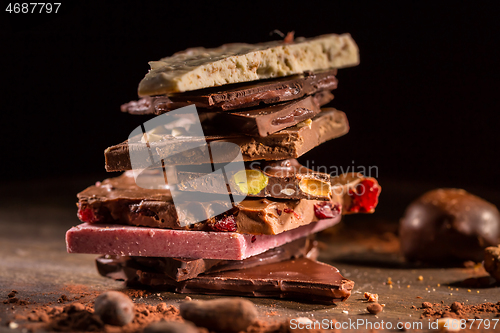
<point>119,200</point>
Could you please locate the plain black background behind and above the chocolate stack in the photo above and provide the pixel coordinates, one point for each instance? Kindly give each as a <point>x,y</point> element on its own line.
<point>423,105</point>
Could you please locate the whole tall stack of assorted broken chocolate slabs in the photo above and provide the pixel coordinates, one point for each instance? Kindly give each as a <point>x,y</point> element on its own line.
<point>266,100</point>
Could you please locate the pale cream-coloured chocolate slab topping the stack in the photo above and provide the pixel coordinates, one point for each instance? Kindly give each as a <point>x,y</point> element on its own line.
<point>198,68</point>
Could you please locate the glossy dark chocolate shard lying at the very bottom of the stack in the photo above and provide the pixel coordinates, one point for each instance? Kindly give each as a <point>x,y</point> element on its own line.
<point>298,279</point>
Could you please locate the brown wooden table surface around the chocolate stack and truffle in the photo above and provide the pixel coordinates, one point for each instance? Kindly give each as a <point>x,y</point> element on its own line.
<point>33,260</point>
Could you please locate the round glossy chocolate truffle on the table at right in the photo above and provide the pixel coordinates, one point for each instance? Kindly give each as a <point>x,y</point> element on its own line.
<point>448,225</point>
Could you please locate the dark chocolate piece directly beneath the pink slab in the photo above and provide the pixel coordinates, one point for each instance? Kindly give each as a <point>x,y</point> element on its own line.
<point>181,269</point>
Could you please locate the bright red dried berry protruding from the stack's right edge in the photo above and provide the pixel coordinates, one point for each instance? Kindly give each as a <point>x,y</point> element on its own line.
<point>364,196</point>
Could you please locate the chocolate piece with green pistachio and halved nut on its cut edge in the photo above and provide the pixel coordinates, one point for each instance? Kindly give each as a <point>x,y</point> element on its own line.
<point>285,179</point>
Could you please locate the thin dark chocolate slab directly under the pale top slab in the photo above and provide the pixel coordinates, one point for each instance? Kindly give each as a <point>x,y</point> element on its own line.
<point>239,96</point>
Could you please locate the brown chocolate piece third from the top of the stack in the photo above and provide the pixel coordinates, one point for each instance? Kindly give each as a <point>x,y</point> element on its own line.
<point>267,120</point>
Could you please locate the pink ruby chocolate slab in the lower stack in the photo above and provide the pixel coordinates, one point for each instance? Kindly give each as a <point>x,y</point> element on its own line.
<point>123,240</point>
